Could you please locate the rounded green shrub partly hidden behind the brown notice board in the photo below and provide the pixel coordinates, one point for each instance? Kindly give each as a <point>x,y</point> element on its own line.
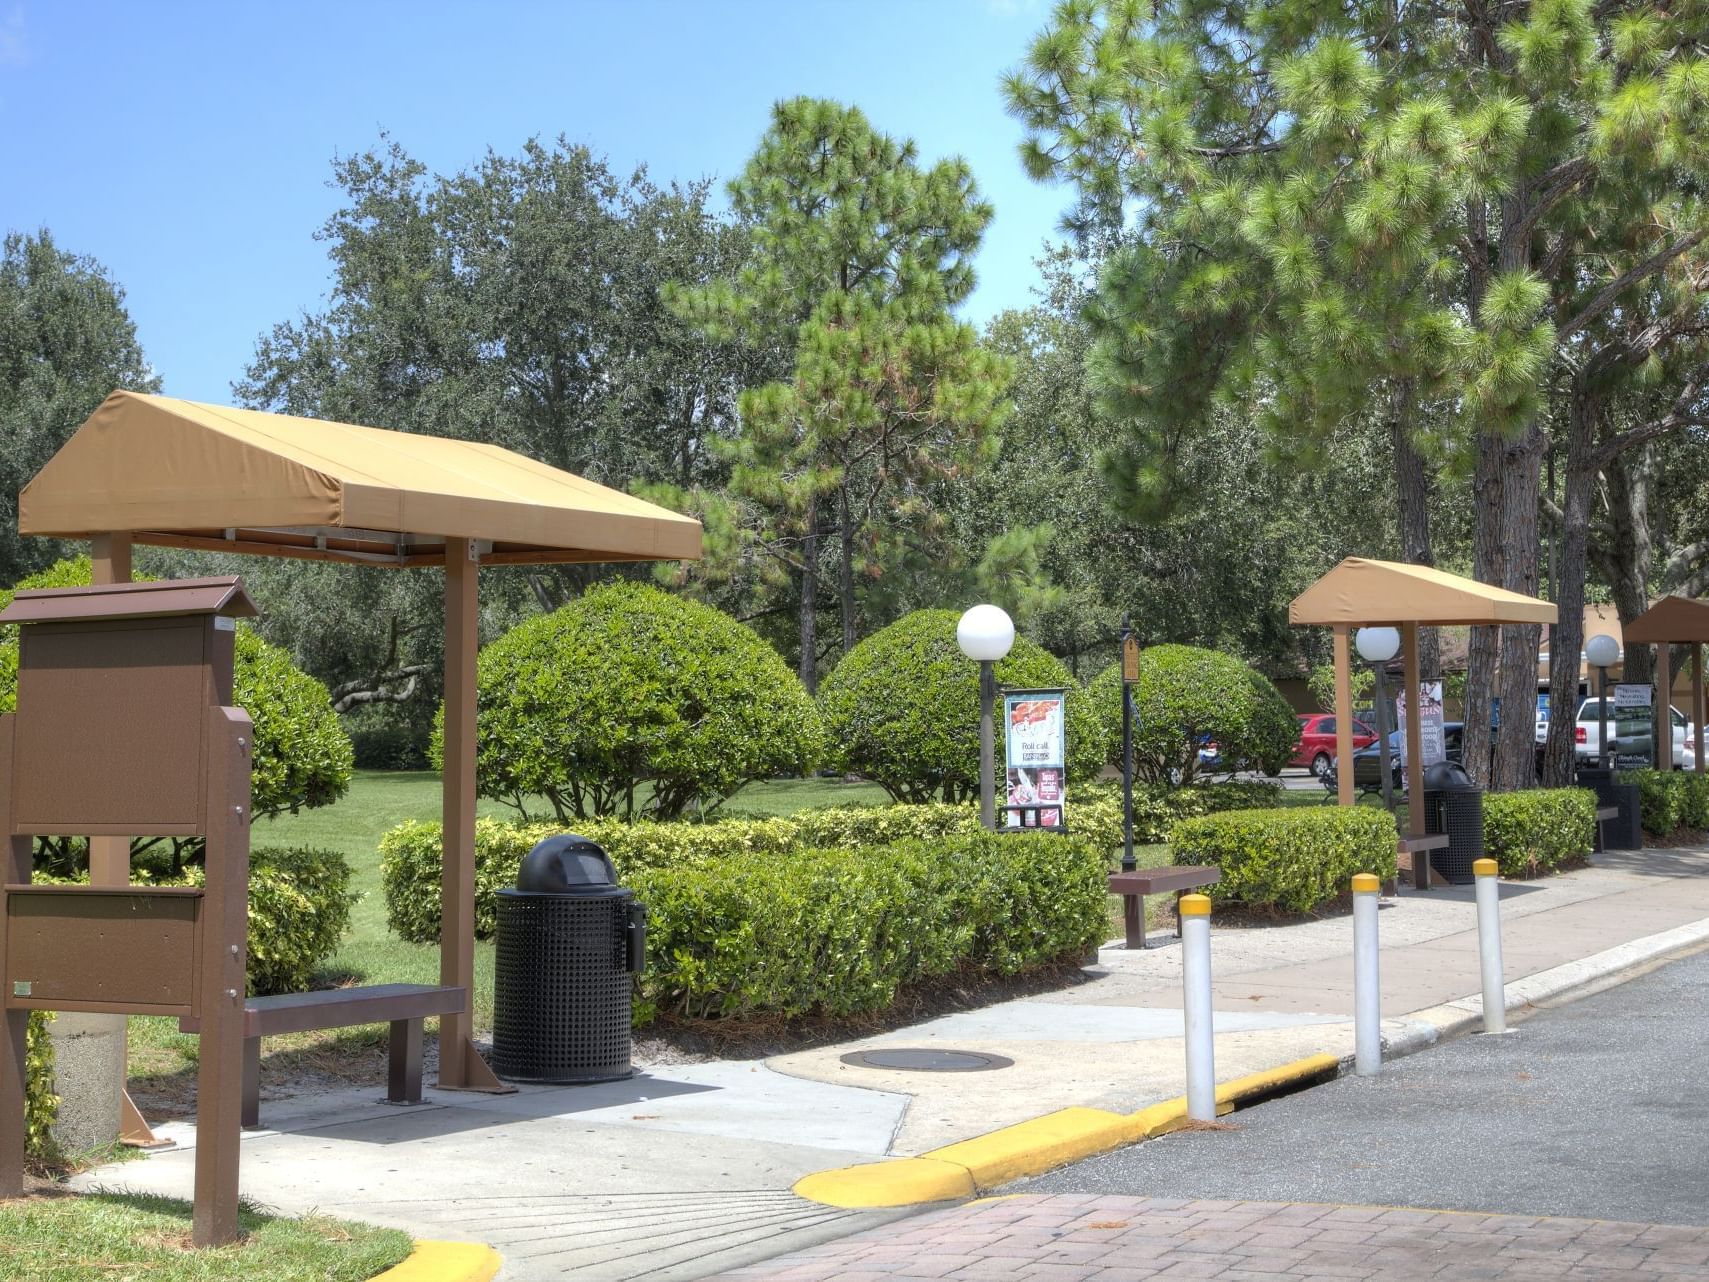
<point>302,753</point>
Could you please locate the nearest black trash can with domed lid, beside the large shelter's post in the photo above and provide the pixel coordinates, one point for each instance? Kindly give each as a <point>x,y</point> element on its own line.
<point>570,943</point>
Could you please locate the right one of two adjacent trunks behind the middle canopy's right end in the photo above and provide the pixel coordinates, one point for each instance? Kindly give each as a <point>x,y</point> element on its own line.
<point>1517,743</point>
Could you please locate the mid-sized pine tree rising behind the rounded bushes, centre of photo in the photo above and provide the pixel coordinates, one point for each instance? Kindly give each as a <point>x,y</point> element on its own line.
<point>860,257</point>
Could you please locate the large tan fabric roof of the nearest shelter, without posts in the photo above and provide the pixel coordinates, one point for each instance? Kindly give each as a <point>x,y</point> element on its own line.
<point>182,474</point>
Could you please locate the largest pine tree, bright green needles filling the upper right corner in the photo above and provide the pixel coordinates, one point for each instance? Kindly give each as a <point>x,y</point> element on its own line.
<point>1346,206</point>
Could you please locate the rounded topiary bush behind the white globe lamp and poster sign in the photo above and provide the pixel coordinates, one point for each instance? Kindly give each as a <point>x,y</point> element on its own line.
<point>903,709</point>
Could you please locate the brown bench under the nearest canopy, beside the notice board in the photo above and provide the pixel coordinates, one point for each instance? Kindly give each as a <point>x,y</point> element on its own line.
<point>401,1006</point>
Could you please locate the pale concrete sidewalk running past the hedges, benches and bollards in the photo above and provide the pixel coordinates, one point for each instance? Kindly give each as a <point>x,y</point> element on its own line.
<point>688,1170</point>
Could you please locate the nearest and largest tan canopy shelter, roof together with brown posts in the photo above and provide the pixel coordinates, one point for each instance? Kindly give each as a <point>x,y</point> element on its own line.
<point>180,474</point>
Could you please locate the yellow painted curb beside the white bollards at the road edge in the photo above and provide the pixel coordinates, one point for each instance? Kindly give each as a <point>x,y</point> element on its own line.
<point>1033,1148</point>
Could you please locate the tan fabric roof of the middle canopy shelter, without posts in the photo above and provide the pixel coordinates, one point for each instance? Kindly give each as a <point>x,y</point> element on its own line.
<point>1389,592</point>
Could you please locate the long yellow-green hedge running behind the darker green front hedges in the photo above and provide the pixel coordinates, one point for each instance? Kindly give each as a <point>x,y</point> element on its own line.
<point>411,854</point>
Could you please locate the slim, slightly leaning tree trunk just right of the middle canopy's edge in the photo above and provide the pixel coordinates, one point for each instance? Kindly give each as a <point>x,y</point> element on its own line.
<point>1566,640</point>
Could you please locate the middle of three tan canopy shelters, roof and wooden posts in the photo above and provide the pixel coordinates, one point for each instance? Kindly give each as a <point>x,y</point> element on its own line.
<point>1390,594</point>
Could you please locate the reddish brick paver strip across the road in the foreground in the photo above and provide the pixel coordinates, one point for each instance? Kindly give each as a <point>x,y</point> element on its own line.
<point>1091,1238</point>
